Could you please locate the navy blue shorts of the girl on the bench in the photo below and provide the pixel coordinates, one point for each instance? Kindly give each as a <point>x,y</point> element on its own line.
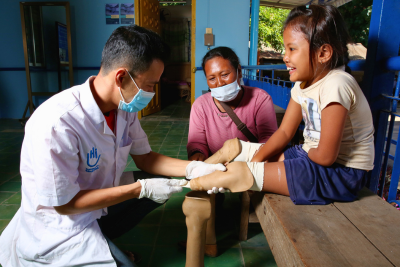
<point>312,184</point>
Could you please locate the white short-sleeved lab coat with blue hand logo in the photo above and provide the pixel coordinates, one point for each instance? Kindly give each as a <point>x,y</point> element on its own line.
<point>68,147</point>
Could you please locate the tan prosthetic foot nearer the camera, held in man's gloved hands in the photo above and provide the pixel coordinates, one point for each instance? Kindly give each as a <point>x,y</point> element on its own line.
<point>237,178</point>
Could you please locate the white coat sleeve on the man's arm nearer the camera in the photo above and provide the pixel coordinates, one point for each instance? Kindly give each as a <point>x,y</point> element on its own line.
<point>55,160</point>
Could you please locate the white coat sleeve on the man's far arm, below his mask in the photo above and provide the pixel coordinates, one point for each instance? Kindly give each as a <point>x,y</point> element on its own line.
<point>140,143</point>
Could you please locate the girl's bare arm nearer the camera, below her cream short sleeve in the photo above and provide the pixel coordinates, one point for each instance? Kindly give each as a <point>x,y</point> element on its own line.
<point>333,118</point>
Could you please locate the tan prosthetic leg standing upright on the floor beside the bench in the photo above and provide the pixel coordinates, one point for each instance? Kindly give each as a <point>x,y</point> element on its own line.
<point>197,209</point>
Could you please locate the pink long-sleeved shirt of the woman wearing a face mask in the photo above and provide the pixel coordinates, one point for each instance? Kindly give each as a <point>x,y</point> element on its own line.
<point>209,128</point>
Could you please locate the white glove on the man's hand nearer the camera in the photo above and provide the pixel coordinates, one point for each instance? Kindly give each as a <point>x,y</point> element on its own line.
<point>160,189</point>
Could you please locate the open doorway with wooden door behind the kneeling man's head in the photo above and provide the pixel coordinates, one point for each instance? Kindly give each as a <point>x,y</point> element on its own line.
<point>175,27</point>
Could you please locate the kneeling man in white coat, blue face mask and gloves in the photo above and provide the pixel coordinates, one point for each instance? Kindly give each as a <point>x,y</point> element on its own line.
<point>75,196</point>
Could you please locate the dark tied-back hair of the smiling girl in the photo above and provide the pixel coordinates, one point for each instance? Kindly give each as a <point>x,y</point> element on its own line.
<point>321,24</point>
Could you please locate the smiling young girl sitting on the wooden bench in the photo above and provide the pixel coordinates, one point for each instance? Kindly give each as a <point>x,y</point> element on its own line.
<point>338,148</point>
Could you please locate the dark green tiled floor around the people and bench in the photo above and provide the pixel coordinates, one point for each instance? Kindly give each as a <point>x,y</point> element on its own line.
<point>156,237</point>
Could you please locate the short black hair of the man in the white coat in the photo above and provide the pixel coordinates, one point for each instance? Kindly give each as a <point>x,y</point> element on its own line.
<point>134,48</point>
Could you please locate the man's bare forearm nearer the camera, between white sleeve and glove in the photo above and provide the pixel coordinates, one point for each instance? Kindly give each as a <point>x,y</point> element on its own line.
<point>89,200</point>
